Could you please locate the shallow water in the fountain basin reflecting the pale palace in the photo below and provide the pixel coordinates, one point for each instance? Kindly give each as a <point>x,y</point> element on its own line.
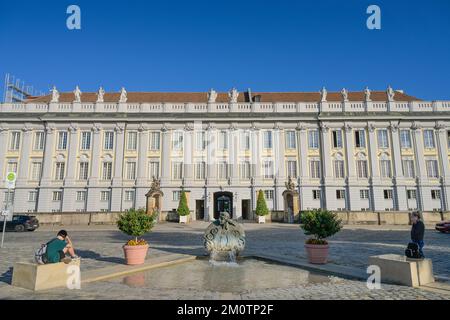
<point>246,275</point>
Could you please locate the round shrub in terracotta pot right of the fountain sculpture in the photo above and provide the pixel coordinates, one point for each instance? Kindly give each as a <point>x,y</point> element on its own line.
<point>320,224</point>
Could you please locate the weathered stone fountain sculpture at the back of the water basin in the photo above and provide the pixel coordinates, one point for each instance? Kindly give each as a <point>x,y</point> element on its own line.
<point>224,239</point>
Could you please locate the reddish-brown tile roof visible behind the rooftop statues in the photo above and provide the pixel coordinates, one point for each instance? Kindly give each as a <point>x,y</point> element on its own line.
<point>202,97</point>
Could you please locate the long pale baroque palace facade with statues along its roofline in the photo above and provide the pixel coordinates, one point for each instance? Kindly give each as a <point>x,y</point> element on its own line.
<point>344,151</point>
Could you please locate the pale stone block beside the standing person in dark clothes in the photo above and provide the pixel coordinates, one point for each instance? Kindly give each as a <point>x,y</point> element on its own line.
<point>401,270</point>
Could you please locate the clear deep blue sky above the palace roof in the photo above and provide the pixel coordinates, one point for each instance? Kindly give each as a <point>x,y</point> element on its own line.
<point>196,45</point>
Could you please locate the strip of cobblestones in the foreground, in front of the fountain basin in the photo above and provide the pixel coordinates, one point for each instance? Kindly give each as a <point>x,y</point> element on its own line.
<point>339,289</point>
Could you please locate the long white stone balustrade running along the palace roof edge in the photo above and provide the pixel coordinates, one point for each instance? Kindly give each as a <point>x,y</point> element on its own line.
<point>255,107</point>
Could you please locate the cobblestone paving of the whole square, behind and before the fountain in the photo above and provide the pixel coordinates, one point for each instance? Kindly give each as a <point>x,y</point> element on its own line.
<point>101,246</point>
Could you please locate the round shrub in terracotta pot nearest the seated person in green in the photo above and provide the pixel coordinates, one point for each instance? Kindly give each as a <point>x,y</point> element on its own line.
<point>135,223</point>
